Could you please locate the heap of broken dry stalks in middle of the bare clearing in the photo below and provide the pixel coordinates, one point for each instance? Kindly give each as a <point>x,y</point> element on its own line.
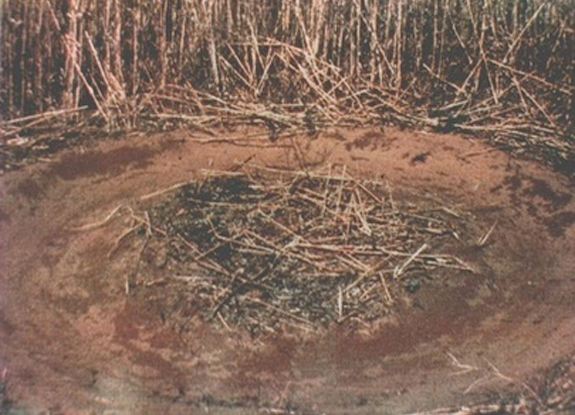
<point>266,250</point>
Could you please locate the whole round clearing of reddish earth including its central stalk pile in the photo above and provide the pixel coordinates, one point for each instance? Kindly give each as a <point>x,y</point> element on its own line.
<point>94,314</point>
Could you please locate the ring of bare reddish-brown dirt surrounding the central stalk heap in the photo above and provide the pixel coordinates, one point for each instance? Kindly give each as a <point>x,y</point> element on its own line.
<point>73,342</point>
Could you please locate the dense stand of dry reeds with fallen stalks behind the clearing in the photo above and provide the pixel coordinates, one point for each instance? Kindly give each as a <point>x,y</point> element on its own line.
<point>503,67</point>
